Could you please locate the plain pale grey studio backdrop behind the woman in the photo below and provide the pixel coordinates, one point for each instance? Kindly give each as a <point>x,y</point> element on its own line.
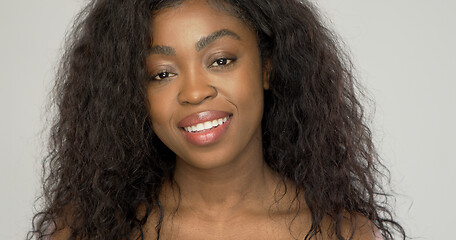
<point>404,53</point>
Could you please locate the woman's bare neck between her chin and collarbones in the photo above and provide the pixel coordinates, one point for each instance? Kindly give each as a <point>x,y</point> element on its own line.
<point>246,183</point>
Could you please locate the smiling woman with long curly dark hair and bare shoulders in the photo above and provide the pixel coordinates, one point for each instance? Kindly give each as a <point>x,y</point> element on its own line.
<point>206,119</point>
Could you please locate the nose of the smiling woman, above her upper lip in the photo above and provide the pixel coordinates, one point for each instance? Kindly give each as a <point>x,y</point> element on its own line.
<point>196,89</point>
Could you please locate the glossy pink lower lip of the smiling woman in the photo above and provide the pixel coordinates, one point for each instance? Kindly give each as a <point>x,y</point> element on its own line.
<point>207,137</point>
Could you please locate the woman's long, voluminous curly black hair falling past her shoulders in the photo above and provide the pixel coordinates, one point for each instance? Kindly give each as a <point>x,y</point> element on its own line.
<point>104,160</point>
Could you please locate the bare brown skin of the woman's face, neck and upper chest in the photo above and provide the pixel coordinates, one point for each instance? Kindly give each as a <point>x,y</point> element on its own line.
<point>227,190</point>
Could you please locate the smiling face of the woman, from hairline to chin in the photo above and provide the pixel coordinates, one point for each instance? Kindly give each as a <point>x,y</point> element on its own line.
<point>206,85</point>
